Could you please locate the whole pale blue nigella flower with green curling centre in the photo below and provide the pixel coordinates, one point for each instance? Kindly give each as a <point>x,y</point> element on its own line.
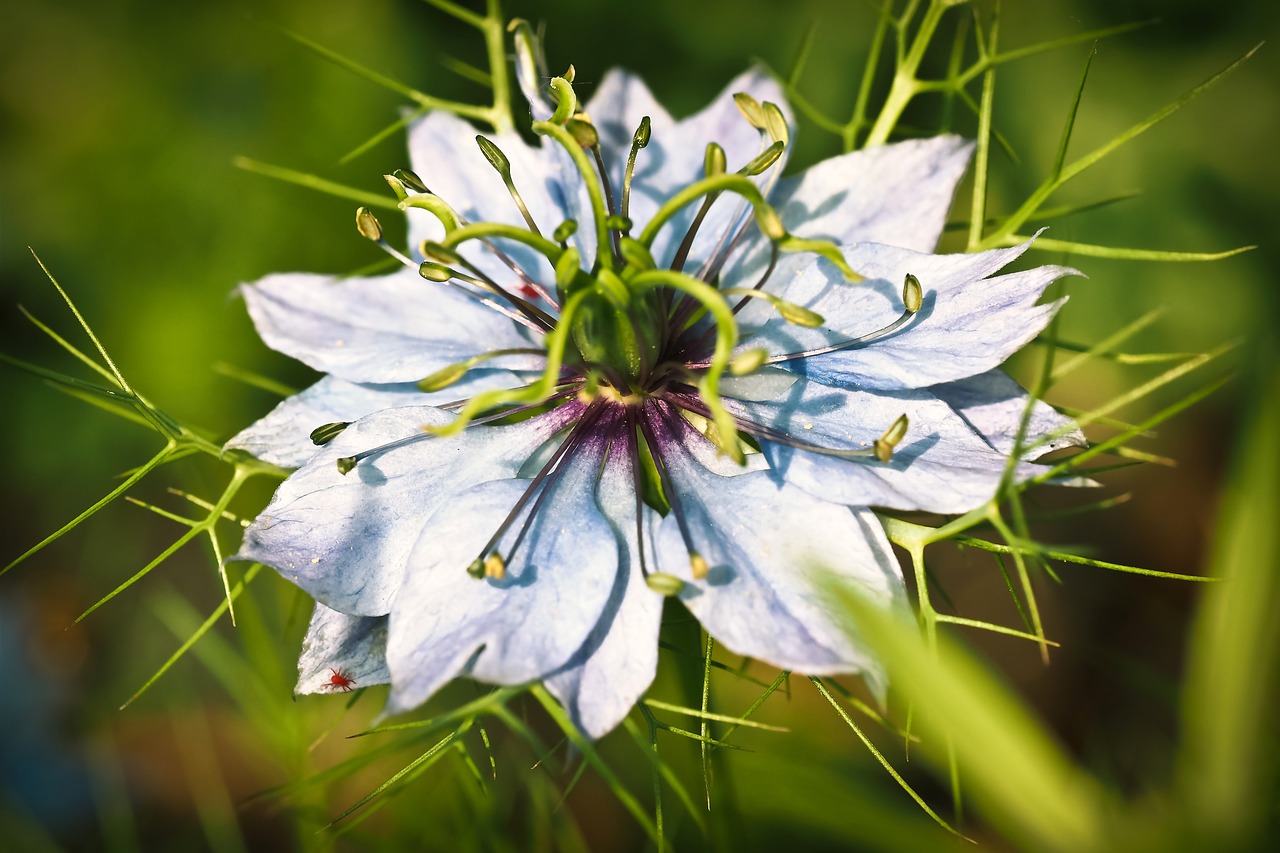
<point>633,363</point>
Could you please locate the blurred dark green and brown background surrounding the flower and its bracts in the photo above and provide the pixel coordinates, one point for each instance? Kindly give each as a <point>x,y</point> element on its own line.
<point>118,127</point>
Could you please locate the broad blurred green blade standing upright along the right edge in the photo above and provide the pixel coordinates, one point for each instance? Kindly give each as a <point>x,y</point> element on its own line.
<point>1227,770</point>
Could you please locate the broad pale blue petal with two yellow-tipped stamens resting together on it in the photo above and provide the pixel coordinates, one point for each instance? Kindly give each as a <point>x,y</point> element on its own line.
<point>519,630</point>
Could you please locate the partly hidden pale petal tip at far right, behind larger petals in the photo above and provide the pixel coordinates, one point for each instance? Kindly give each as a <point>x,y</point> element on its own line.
<point>994,405</point>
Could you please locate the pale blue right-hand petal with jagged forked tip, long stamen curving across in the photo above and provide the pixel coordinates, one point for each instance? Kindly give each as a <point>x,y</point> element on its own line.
<point>968,323</point>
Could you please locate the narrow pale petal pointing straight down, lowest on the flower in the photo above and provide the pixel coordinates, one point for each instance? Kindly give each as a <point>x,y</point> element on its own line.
<point>610,674</point>
